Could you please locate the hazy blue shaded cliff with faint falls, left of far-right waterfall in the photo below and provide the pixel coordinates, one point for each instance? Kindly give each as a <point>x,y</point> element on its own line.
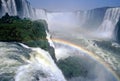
<point>91,19</point>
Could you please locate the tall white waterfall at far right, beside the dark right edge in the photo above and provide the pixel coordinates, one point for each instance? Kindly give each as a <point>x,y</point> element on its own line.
<point>106,29</point>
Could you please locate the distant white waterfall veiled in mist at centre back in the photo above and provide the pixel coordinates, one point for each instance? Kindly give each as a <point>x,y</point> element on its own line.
<point>62,20</point>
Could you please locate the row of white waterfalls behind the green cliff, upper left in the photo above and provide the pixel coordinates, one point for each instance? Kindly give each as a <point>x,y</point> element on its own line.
<point>21,8</point>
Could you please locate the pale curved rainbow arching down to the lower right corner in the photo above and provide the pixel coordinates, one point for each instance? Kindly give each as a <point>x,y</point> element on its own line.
<point>94,56</point>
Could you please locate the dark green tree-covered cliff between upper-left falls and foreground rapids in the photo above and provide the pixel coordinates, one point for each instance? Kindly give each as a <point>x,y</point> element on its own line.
<point>32,33</point>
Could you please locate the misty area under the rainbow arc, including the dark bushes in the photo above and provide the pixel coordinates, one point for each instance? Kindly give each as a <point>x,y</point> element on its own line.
<point>83,67</point>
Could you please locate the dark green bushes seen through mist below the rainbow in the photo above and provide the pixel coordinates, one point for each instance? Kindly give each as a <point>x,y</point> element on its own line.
<point>72,67</point>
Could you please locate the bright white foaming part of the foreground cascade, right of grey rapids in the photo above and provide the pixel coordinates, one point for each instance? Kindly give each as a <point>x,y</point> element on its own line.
<point>40,65</point>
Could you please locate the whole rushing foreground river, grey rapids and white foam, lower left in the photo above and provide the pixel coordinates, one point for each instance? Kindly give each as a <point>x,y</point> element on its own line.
<point>21,63</point>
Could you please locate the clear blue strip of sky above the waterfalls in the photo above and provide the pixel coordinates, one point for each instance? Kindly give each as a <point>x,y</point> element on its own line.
<point>68,5</point>
